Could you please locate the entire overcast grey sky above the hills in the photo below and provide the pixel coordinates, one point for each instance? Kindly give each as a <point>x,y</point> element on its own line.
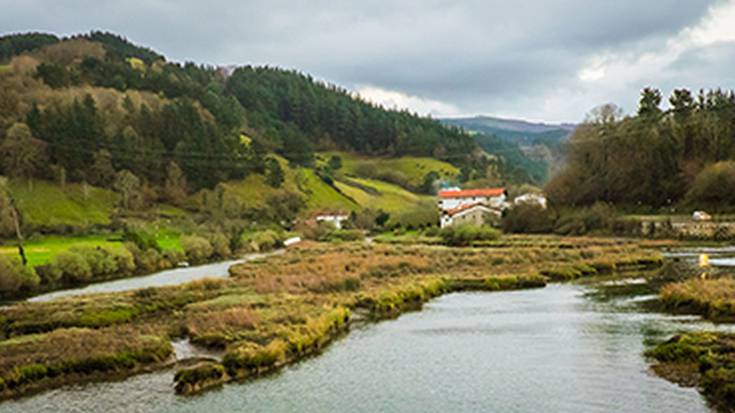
<point>550,60</point>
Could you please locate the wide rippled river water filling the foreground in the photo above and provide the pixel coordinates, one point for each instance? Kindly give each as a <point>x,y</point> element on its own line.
<point>556,349</point>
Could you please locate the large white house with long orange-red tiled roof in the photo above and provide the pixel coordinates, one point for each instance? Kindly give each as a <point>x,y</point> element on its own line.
<point>471,206</point>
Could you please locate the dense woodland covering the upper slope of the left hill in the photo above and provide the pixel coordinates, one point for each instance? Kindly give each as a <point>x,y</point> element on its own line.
<point>89,106</point>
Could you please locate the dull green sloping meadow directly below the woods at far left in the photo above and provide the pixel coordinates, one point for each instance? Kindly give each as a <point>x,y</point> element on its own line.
<point>46,204</point>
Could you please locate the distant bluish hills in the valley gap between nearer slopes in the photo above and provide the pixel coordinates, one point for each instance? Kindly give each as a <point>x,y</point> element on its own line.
<point>532,149</point>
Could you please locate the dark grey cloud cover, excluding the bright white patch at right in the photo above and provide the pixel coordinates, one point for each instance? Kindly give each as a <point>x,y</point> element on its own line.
<point>480,56</point>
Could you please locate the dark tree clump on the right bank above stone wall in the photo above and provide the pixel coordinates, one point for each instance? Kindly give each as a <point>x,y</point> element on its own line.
<point>656,158</point>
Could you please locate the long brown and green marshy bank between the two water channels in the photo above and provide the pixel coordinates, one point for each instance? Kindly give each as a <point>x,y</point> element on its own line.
<point>269,311</point>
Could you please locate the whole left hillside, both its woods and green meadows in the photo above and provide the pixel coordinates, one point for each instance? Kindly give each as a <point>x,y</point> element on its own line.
<point>108,131</point>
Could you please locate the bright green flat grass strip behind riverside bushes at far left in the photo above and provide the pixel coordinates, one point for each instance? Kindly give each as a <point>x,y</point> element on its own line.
<point>40,251</point>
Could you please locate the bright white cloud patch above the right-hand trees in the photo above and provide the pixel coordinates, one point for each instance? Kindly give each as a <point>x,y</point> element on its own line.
<point>699,55</point>
